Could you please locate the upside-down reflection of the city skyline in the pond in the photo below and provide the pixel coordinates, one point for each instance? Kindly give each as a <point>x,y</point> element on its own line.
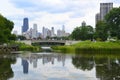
<point>46,58</point>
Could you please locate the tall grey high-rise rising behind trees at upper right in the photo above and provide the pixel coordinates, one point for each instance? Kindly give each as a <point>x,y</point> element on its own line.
<point>104,9</point>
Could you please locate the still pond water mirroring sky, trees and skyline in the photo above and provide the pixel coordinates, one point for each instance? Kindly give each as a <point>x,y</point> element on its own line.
<point>56,66</point>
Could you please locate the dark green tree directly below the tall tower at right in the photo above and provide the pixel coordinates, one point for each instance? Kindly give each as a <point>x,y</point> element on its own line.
<point>101,30</point>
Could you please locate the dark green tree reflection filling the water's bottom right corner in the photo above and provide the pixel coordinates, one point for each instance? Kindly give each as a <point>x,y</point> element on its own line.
<point>109,69</point>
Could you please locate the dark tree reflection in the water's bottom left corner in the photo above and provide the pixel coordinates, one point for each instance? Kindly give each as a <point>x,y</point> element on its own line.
<point>5,68</point>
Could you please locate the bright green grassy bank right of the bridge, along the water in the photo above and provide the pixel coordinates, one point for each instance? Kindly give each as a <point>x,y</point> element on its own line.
<point>90,47</point>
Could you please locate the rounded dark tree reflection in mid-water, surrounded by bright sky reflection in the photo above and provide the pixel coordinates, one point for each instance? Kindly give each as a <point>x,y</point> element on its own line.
<point>83,63</point>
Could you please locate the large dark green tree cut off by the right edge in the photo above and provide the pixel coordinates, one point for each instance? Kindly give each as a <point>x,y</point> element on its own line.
<point>113,19</point>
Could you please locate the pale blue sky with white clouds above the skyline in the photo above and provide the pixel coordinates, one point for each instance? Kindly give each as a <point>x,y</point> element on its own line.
<point>52,13</point>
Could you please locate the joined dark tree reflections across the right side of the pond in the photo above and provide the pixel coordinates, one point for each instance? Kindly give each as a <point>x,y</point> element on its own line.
<point>106,68</point>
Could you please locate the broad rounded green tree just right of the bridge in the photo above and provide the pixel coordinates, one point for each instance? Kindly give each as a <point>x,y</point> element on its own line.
<point>82,33</point>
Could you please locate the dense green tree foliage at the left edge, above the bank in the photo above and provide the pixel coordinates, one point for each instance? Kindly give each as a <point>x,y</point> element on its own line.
<point>6,27</point>
